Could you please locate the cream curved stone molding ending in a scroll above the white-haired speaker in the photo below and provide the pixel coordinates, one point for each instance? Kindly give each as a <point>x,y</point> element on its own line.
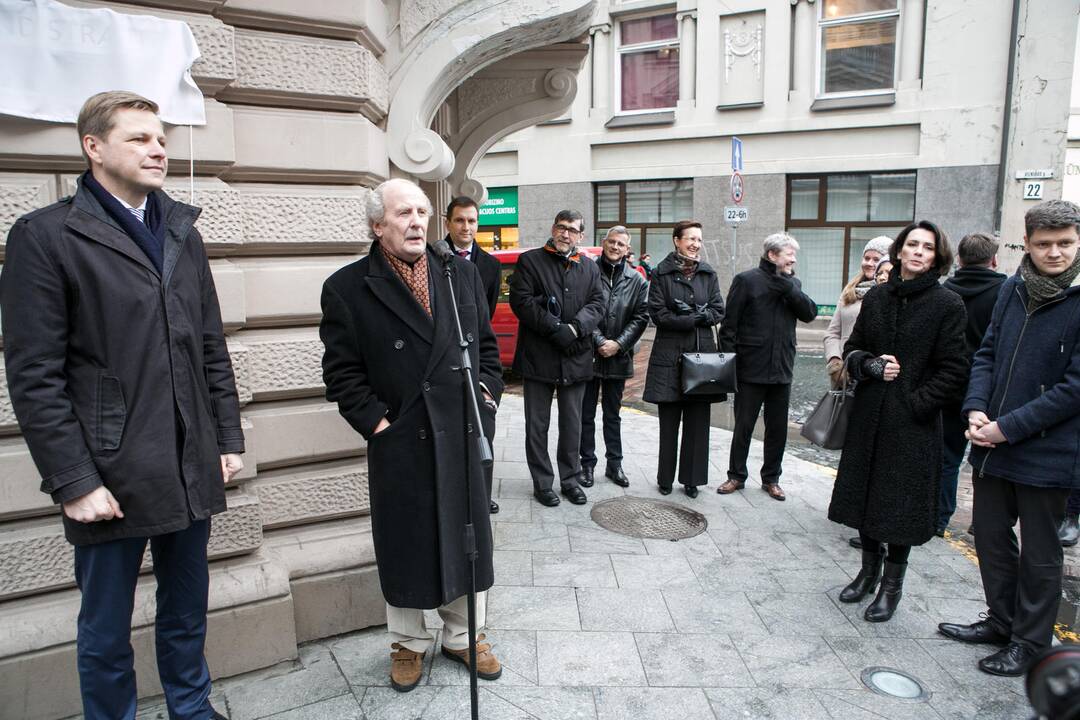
<point>448,51</point>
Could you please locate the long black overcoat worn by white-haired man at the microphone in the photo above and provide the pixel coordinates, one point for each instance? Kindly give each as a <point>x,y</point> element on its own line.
<point>387,358</point>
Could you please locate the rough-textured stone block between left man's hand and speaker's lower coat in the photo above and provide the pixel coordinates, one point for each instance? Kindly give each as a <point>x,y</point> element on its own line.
<point>309,497</point>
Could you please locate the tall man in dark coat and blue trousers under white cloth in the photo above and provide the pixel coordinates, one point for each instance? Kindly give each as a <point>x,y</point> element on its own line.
<point>121,382</point>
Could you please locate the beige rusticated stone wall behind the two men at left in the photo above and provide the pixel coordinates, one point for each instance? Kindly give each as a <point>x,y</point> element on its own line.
<point>309,105</point>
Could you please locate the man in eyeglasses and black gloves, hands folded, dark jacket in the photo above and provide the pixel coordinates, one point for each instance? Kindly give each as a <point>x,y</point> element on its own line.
<point>557,295</point>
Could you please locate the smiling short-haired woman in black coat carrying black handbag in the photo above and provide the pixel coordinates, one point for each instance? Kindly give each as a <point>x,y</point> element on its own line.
<point>686,305</point>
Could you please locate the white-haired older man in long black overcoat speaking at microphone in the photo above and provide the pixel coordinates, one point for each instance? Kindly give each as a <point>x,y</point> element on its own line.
<point>390,365</point>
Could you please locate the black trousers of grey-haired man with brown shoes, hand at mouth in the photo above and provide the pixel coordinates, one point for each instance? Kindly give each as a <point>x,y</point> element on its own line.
<point>749,402</point>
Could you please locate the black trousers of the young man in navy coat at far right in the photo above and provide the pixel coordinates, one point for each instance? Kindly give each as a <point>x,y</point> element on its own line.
<point>1023,587</point>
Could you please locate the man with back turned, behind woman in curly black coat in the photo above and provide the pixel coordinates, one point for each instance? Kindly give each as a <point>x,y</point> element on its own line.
<point>978,284</point>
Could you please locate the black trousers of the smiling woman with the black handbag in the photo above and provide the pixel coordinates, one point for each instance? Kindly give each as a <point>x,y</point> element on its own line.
<point>694,454</point>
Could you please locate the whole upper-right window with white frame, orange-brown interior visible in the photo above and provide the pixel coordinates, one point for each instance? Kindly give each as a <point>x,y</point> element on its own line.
<point>858,42</point>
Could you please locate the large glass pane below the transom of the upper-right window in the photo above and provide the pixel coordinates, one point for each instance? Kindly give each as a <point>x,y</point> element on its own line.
<point>859,57</point>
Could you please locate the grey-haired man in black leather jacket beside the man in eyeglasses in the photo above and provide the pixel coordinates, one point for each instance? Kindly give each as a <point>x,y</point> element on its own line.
<point>625,320</point>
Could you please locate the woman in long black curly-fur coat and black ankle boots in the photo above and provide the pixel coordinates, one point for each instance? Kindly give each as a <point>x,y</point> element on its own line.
<point>908,355</point>
